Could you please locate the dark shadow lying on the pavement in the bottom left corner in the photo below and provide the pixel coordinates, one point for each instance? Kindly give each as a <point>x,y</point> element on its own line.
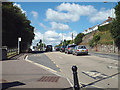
<point>11,84</point>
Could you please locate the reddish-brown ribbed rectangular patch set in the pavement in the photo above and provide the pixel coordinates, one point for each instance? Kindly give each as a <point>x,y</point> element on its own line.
<point>49,79</point>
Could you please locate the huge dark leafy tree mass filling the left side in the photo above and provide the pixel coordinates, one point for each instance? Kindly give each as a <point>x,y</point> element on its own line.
<point>15,24</point>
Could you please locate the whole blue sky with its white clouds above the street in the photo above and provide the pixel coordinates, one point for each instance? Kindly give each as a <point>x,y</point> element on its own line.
<point>54,21</point>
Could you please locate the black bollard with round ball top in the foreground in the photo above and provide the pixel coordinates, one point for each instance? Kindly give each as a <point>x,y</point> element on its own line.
<point>76,84</point>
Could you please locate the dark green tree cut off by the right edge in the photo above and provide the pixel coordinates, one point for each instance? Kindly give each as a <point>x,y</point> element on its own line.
<point>115,30</point>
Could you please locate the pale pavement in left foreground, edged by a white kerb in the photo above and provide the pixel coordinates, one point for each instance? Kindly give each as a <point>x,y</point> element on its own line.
<point>19,73</point>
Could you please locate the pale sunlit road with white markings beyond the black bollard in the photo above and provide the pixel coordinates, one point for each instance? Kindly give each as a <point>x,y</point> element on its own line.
<point>100,72</point>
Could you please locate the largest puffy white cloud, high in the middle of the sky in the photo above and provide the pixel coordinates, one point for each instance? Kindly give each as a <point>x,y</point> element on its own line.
<point>73,12</point>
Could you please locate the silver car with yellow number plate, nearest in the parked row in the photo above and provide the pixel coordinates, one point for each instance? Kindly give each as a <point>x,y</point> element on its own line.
<point>80,49</point>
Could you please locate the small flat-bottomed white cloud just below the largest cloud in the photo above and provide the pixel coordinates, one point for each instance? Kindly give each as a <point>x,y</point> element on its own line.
<point>59,26</point>
